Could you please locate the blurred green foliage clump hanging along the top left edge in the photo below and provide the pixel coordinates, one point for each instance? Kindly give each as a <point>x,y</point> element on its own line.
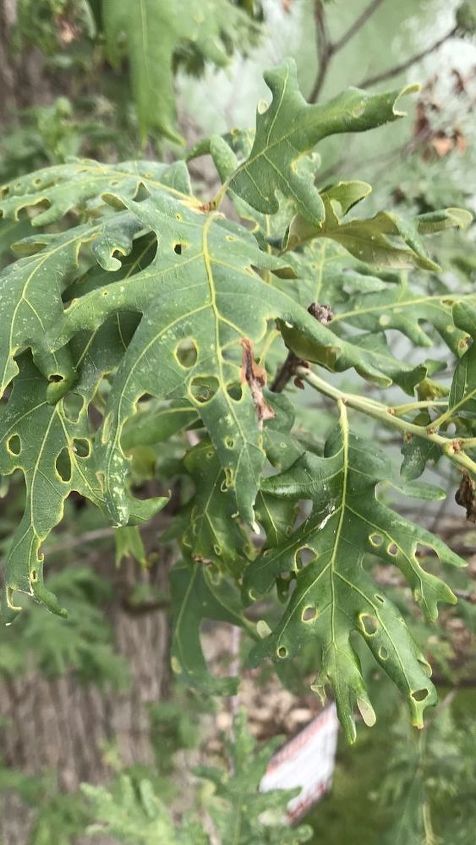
<point>150,37</point>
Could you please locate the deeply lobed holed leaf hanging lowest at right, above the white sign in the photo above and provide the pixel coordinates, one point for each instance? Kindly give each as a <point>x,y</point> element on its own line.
<point>335,596</point>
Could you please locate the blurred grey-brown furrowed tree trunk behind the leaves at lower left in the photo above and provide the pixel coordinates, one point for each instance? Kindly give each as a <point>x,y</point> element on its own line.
<point>67,727</point>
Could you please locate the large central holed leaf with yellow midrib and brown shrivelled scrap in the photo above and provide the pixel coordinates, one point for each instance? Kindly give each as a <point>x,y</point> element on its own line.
<point>203,315</point>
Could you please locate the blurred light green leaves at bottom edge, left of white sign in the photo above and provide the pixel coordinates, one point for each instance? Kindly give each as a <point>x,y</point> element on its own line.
<point>134,813</point>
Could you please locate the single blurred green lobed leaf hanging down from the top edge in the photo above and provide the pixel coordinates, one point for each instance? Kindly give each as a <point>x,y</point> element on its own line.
<point>154,32</point>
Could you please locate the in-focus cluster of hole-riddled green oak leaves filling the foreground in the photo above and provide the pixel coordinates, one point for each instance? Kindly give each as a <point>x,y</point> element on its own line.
<point>142,311</point>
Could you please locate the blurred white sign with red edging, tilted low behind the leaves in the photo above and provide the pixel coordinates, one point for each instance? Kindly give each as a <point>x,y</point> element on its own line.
<point>307,761</point>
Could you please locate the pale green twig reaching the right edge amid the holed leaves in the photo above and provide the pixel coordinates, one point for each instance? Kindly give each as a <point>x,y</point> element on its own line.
<point>451,447</point>
